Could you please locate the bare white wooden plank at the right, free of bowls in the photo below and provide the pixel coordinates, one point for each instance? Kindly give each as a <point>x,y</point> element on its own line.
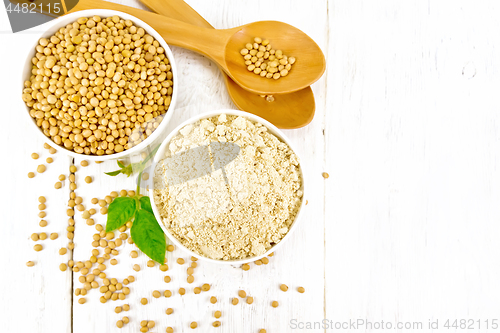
<point>412,150</point>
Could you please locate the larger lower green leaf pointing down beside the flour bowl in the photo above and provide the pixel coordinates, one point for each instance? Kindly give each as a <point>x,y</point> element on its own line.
<point>148,236</point>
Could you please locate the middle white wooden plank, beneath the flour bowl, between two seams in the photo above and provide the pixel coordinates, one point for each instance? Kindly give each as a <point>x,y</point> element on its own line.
<point>298,263</point>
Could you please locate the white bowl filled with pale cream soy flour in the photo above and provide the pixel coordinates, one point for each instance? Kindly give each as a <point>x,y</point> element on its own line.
<point>227,187</point>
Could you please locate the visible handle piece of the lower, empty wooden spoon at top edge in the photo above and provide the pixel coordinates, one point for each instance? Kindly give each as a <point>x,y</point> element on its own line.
<point>178,10</point>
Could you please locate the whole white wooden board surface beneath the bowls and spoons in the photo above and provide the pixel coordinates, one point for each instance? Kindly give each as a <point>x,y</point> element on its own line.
<point>403,230</point>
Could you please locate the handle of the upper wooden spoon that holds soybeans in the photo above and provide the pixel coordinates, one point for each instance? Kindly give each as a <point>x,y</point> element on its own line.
<point>202,40</point>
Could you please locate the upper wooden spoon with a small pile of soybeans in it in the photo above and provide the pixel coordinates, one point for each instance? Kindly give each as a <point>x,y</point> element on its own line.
<point>223,46</point>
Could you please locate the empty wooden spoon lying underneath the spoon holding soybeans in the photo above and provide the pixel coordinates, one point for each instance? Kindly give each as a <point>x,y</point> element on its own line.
<point>293,110</point>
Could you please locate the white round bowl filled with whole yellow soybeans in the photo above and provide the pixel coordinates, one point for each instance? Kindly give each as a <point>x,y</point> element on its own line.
<point>100,84</point>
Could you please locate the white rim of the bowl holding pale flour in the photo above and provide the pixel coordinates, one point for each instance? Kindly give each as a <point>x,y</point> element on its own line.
<point>273,130</point>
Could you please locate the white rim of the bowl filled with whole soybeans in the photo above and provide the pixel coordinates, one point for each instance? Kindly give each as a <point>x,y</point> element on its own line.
<point>103,13</point>
